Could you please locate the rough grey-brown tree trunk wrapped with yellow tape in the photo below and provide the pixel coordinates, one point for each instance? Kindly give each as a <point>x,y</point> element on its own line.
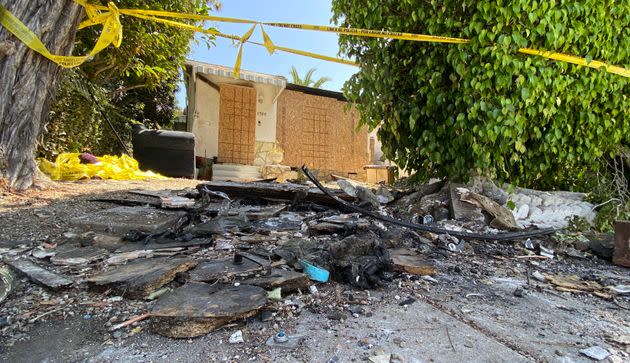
<point>29,81</point>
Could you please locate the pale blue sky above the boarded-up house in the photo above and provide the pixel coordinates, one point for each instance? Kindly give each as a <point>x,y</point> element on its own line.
<point>257,58</point>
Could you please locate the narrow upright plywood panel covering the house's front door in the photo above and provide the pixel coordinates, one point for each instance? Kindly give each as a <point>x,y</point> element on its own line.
<point>237,124</point>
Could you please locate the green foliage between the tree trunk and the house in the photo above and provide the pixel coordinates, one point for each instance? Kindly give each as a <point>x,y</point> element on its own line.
<point>133,83</point>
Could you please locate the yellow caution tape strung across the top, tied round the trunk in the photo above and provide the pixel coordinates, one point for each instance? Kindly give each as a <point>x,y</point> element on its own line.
<point>112,34</point>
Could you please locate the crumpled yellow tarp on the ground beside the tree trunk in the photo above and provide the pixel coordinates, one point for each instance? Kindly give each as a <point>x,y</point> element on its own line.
<point>68,166</point>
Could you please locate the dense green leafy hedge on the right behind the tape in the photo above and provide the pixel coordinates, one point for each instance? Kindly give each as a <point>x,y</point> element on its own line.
<point>447,110</point>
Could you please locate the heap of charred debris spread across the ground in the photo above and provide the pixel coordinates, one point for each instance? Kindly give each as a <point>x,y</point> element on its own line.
<point>193,260</point>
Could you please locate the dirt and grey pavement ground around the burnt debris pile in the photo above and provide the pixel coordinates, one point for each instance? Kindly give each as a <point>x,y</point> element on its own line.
<point>483,305</point>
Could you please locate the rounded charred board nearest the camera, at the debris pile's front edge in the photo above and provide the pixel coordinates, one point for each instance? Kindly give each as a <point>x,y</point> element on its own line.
<point>196,308</point>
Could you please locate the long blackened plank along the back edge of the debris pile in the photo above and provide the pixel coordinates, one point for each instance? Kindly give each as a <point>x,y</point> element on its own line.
<point>275,191</point>
